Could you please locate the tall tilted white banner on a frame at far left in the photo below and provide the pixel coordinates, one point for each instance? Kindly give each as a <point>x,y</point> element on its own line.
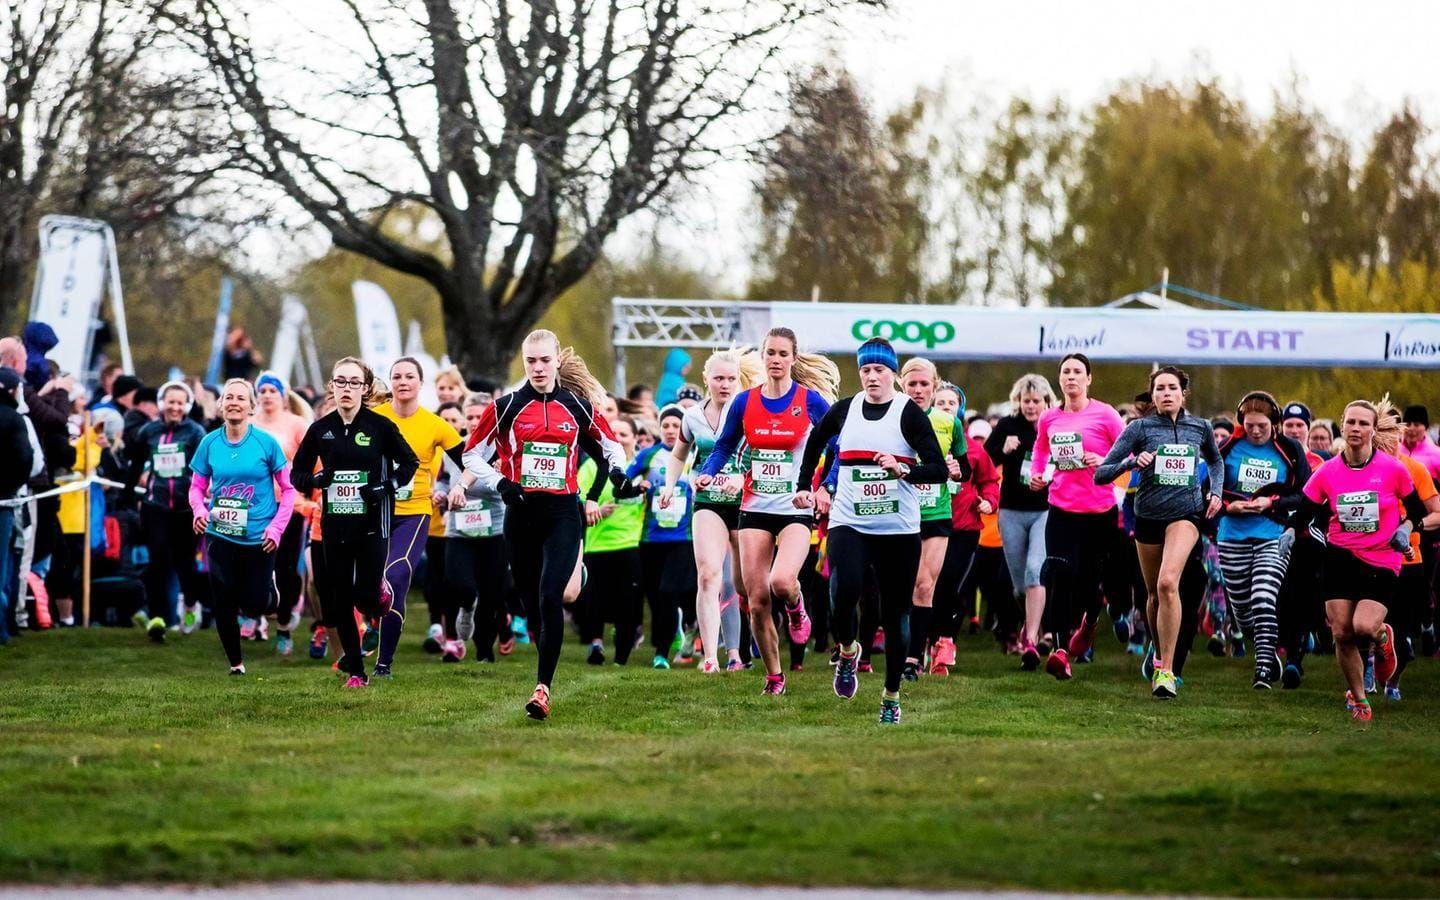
<point>71,286</point>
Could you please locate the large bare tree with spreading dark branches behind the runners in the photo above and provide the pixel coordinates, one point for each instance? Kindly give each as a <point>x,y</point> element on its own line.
<point>529,129</point>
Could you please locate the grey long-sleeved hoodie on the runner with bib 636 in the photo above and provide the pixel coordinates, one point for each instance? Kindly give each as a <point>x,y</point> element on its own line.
<point>1170,487</point>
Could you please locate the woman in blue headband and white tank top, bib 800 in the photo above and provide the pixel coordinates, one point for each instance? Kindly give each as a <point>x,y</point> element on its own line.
<point>885,447</point>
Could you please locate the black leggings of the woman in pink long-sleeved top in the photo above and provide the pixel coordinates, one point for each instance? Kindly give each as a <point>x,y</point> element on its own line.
<point>1076,546</point>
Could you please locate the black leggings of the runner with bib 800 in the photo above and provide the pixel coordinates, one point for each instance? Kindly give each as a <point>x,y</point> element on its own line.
<point>896,561</point>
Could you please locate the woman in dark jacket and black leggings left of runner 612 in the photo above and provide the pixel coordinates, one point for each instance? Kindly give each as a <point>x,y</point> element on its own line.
<point>165,449</point>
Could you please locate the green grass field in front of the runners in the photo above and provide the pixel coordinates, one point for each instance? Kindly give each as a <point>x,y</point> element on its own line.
<point>122,761</point>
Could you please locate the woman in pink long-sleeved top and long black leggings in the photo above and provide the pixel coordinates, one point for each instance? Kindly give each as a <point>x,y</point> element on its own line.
<point>1084,518</point>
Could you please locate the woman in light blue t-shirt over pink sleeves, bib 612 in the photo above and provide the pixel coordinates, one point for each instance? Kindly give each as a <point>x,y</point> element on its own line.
<point>240,469</point>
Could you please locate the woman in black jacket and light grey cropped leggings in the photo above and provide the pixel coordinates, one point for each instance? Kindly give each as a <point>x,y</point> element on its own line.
<point>1023,509</point>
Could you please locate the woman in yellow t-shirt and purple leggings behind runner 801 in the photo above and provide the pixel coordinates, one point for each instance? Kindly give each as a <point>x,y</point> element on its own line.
<point>430,437</point>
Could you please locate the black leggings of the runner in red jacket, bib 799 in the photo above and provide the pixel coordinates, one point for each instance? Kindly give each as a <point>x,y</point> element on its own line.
<point>544,534</point>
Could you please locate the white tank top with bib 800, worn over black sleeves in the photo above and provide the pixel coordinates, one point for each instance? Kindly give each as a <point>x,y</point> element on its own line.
<point>868,498</point>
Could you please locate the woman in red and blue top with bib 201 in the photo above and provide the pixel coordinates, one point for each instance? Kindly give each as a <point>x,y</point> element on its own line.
<point>774,423</point>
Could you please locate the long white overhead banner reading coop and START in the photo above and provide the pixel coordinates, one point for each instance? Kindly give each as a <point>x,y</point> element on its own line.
<point>1135,336</point>
